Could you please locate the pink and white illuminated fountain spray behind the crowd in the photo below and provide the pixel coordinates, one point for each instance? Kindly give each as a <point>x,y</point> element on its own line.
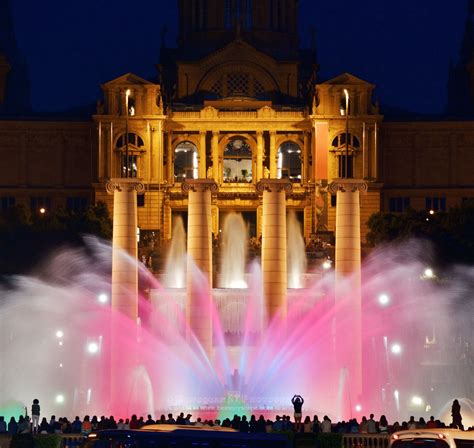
<point>62,345</point>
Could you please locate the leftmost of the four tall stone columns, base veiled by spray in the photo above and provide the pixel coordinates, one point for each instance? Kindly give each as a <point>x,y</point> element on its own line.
<point>124,273</point>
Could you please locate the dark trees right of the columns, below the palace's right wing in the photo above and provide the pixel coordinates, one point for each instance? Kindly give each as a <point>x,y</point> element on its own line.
<point>452,232</point>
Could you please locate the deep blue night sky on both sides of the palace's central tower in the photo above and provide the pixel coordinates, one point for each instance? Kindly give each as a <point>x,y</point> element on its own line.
<point>402,46</point>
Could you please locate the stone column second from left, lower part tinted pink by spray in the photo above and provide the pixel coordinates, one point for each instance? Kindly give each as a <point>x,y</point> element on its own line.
<point>199,284</point>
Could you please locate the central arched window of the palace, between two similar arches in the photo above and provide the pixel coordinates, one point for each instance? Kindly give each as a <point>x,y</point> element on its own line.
<point>237,161</point>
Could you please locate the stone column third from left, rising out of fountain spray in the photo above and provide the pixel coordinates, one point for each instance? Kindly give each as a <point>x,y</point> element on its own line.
<point>274,263</point>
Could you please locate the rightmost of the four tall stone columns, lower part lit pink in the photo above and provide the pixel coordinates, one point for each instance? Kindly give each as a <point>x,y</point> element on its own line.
<point>348,283</point>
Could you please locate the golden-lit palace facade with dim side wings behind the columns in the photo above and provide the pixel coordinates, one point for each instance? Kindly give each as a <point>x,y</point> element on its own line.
<point>236,101</point>
